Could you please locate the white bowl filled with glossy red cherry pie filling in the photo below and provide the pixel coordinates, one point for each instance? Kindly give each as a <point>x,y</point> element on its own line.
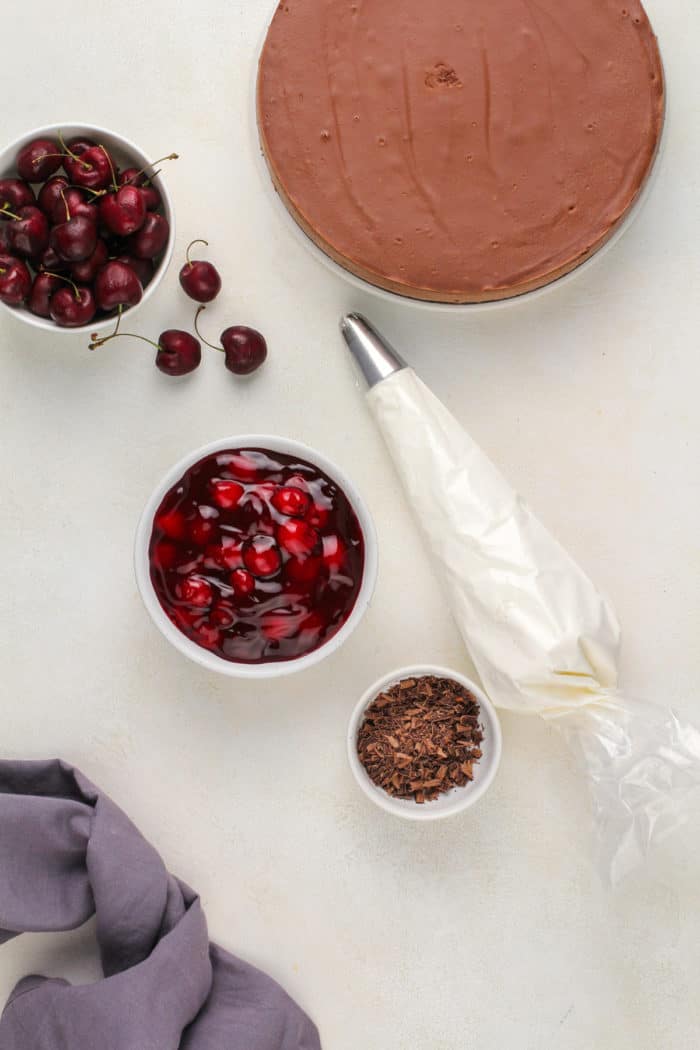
<point>257,557</point>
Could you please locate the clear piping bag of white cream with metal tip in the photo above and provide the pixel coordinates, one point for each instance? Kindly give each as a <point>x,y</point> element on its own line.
<point>544,641</point>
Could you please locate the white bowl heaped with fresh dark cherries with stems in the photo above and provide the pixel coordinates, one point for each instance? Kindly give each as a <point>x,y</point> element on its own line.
<point>87,228</point>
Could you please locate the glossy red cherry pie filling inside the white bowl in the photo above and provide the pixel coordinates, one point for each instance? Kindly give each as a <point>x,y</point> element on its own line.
<point>257,585</point>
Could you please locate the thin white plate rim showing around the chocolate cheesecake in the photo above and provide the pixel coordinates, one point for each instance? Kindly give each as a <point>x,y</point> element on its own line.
<point>429,306</point>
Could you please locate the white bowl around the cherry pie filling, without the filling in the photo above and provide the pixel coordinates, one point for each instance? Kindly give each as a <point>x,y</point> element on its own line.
<point>204,657</point>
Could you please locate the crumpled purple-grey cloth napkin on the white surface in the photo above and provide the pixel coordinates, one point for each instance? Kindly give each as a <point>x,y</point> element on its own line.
<point>67,853</point>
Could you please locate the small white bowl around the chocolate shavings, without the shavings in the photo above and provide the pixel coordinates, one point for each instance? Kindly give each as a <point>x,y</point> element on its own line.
<point>454,802</point>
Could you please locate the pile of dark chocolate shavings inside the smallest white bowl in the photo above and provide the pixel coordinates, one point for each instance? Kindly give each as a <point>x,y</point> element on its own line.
<point>421,739</point>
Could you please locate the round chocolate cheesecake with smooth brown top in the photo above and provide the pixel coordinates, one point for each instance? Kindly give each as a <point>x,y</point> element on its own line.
<point>465,151</point>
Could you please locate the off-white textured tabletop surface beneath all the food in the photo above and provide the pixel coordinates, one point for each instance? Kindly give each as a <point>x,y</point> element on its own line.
<point>491,932</point>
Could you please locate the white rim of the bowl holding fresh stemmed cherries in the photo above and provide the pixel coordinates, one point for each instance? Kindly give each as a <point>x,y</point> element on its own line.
<point>22,313</point>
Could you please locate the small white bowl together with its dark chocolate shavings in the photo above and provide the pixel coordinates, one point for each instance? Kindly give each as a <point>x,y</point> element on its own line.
<point>425,743</point>
